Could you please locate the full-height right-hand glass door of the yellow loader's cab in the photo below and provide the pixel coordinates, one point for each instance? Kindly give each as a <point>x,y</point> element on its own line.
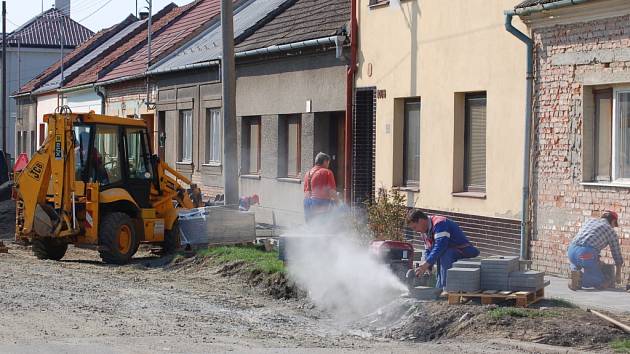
<point>137,165</point>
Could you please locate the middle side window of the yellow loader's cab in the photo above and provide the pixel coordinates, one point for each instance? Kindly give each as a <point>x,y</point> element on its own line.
<point>105,155</point>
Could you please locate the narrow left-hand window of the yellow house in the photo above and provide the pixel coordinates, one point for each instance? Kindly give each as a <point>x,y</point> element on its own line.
<point>411,150</point>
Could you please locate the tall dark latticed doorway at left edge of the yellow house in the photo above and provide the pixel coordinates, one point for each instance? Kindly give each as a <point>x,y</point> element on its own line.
<point>363,145</point>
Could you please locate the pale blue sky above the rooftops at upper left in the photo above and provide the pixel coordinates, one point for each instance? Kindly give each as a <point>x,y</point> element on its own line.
<point>84,11</point>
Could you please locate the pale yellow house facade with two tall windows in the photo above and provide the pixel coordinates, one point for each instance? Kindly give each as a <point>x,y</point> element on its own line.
<point>449,106</point>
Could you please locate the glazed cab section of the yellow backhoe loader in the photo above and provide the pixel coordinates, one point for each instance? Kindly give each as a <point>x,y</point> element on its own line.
<point>115,156</point>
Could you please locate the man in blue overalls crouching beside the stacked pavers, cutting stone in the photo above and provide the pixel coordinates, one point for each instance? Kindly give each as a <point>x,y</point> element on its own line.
<point>444,241</point>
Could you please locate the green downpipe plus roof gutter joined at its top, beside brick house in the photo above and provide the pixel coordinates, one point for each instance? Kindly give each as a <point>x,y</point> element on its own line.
<point>525,212</point>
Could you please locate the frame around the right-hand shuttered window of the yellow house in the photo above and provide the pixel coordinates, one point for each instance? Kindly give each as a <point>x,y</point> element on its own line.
<point>468,187</point>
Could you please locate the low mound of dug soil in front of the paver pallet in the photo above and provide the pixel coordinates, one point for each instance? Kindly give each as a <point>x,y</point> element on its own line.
<point>430,321</point>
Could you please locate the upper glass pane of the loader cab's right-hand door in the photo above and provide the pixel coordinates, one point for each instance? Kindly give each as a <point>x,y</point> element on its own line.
<point>138,153</point>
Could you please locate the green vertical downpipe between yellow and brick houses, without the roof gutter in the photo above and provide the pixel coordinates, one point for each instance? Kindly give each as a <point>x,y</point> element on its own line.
<point>528,129</point>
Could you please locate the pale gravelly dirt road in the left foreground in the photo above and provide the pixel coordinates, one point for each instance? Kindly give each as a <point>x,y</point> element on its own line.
<point>81,305</point>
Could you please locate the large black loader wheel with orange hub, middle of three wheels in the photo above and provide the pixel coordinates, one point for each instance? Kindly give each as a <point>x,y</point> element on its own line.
<point>117,238</point>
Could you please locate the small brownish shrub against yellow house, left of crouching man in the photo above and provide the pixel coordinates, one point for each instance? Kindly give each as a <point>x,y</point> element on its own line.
<point>386,215</point>
